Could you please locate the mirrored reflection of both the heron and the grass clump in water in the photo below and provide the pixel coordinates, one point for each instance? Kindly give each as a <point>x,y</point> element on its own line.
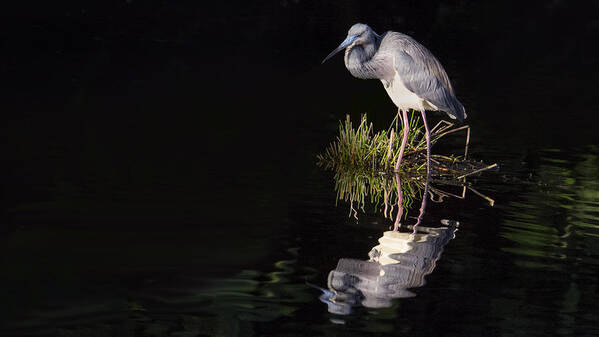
<point>405,255</point>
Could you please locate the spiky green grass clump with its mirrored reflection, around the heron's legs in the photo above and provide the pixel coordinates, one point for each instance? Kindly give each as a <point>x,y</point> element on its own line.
<point>363,163</point>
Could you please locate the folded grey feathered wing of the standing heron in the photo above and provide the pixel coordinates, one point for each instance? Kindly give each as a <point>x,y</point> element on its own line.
<point>422,73</point>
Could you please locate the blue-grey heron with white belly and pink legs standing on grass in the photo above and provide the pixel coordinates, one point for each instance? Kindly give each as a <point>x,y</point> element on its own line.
<point>412,76</point>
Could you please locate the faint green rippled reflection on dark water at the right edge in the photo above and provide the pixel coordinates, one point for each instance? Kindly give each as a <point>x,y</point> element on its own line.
<point>557,217</point>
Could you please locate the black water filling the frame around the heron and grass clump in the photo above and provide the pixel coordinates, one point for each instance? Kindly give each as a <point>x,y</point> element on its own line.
<point>159,177</point>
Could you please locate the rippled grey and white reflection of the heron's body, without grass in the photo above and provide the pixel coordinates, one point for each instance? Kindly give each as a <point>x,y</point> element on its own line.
<point>398,263</point>
